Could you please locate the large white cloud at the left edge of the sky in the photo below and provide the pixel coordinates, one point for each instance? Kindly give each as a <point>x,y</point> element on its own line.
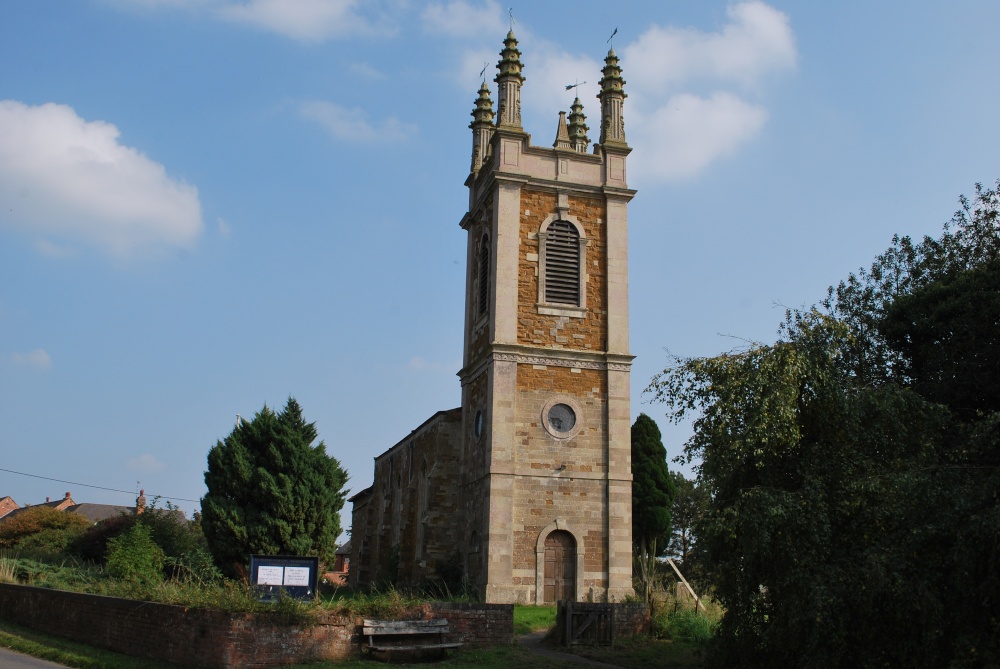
<point>64,177</point>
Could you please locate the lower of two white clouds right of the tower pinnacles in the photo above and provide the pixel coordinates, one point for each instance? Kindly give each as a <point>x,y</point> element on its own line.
<point>689,132</point>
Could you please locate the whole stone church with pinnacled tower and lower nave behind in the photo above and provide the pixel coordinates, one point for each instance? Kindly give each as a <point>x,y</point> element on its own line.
<point>524,492</point>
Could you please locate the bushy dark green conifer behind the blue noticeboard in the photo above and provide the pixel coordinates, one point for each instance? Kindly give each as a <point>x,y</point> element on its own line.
<point>271,491</point>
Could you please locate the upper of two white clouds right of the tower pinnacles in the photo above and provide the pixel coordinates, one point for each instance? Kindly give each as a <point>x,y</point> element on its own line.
<point>757,40</point>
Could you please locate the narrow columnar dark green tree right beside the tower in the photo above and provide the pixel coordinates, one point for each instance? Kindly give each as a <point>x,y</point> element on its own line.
<point>652,497</point>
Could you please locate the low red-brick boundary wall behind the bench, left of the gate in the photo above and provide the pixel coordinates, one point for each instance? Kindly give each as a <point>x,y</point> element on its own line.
<point>207,638</point>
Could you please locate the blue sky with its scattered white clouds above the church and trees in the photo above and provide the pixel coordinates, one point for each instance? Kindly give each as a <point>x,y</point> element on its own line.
<point>209,205</point>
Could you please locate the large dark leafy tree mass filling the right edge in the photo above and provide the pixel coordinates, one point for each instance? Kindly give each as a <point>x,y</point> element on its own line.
<point>854,466</point>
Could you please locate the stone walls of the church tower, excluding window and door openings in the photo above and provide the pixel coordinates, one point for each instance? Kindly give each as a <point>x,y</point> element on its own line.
<point>524,354</point>
